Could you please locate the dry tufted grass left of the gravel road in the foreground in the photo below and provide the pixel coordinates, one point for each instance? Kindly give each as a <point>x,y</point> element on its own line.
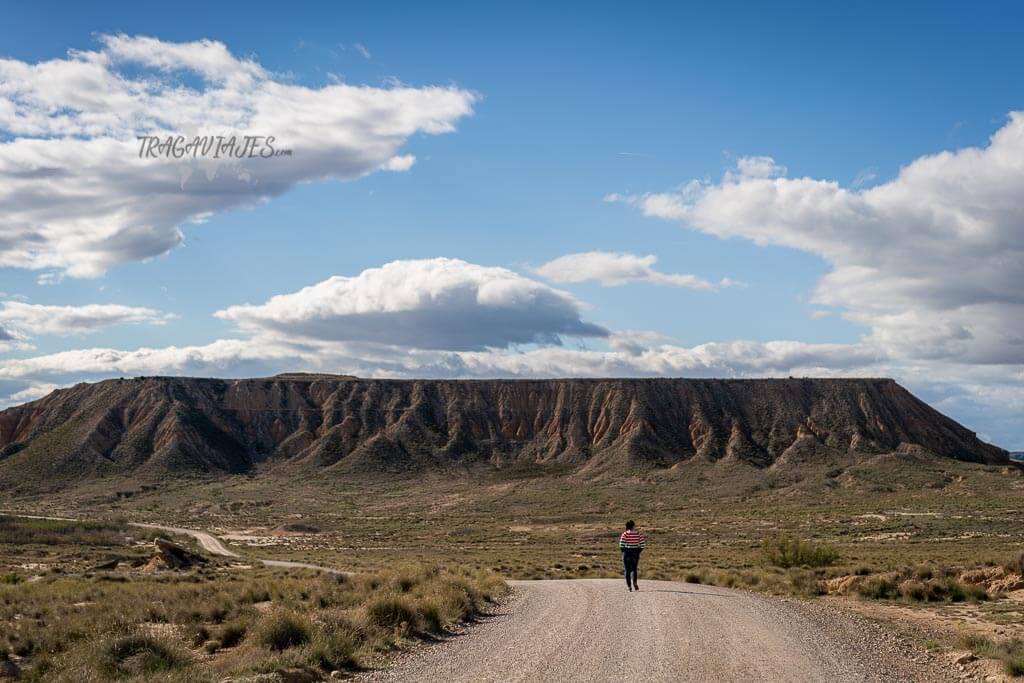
<point>207,625</point>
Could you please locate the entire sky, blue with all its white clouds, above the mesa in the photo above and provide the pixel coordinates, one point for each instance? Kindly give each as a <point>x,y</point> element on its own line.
<point>519,191</point>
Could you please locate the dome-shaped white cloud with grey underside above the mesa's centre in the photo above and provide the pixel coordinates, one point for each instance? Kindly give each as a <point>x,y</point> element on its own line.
<point>438,304</point>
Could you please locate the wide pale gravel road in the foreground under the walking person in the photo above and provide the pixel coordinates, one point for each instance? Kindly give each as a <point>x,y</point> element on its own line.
<point>594,630</point>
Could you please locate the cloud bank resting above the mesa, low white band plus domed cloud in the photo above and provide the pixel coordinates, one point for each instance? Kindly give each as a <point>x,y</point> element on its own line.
<point>450,319</point>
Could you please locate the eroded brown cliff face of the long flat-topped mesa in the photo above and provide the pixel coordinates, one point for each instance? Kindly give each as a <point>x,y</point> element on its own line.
<point>157,425</point>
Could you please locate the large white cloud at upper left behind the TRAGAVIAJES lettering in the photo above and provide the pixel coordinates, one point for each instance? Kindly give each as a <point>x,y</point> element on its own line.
<point>75,196</point>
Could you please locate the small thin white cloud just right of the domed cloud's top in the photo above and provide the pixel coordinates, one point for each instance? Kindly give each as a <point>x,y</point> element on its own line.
<point>614,270</point>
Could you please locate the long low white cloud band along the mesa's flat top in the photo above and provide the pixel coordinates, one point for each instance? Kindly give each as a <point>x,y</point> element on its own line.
<point>233,357</point>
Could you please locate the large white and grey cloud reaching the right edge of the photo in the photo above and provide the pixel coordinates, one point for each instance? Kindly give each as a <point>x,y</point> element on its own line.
<point>931,263</point>
